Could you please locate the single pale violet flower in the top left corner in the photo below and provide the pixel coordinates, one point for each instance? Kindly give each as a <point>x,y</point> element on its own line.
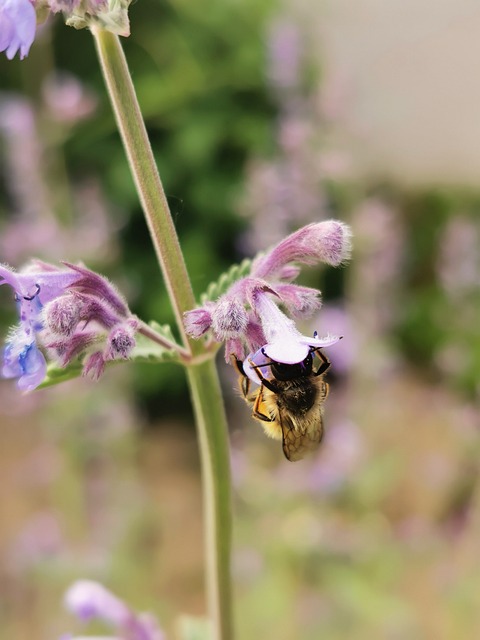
<point>17,27</point>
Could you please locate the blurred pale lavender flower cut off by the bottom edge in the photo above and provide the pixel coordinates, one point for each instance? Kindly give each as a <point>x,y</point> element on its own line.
<point>90,600</point>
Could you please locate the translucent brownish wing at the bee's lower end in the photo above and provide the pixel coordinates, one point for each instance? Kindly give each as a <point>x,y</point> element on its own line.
<point>301,436</point>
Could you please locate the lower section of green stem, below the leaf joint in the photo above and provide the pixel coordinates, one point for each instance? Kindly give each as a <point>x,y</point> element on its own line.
<point>215,462</point>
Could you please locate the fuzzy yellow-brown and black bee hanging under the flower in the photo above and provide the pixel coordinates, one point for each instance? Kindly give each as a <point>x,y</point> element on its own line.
<point>289,402</point>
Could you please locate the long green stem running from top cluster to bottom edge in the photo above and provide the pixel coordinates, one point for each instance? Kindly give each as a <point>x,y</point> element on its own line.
<point>203,379</point>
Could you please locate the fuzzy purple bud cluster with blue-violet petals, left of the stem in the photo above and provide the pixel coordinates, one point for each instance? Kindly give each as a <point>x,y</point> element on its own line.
<point>71,312</point>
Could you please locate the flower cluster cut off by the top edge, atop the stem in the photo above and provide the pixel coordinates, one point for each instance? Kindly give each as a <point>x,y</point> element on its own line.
<point>18,19</point>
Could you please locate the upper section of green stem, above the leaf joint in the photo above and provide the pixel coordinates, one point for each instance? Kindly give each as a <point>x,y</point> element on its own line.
<point>145,174</point>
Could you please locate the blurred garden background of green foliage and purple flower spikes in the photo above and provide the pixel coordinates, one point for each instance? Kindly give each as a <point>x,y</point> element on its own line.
<point>264,115</point>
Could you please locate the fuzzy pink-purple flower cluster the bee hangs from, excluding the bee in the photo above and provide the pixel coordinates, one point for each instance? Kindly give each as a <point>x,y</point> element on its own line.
<point>247,317</point>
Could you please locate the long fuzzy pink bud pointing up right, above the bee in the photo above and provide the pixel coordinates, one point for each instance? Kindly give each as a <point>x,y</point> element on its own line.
<point>327,241</point>
